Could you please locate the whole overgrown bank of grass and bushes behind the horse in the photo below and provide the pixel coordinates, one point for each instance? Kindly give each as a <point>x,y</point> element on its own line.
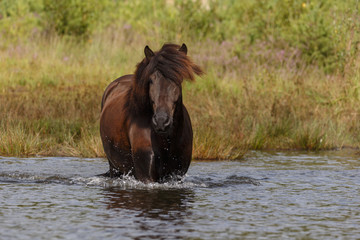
<point>265,87</point>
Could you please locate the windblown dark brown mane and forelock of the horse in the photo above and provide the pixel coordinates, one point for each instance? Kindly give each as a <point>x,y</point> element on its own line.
<point>173,64</point>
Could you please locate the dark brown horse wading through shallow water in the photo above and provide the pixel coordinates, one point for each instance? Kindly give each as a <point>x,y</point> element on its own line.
<point>144,126</point>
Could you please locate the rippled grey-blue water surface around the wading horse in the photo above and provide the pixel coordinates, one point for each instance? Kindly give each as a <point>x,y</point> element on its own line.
<point>266,196</point>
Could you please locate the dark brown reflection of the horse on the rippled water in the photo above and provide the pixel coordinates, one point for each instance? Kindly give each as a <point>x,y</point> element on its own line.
<point>156,210</point>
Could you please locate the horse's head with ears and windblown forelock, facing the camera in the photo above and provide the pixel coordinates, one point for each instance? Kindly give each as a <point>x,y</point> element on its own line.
<point>170,66</point>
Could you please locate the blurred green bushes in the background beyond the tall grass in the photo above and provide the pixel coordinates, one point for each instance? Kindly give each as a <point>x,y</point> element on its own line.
<point>322,32</point>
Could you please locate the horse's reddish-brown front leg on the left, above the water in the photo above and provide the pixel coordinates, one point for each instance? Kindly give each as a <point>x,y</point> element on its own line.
<point>143,154</point>
